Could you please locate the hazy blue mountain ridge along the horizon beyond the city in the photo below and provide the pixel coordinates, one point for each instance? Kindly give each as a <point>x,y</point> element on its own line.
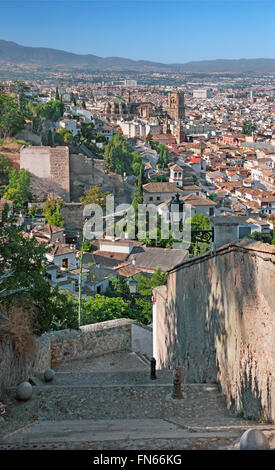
<point>13,53</point>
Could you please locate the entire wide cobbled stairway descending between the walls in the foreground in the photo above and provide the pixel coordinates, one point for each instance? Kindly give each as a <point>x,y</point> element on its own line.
<point>88,407</point>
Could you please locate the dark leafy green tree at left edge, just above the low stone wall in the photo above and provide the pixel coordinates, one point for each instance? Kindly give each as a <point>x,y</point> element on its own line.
<point>24,258</point>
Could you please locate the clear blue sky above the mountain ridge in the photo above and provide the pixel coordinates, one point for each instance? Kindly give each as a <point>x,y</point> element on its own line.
<point>158,30</point>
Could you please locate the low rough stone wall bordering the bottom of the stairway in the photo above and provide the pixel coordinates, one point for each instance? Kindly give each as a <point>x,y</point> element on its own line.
<point>67,345</point>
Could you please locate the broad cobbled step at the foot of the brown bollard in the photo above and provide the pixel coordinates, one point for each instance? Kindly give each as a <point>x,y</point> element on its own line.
<point>120,401</point>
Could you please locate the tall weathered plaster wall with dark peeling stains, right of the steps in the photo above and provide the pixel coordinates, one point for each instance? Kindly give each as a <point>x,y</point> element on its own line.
<point>218,322</point>
